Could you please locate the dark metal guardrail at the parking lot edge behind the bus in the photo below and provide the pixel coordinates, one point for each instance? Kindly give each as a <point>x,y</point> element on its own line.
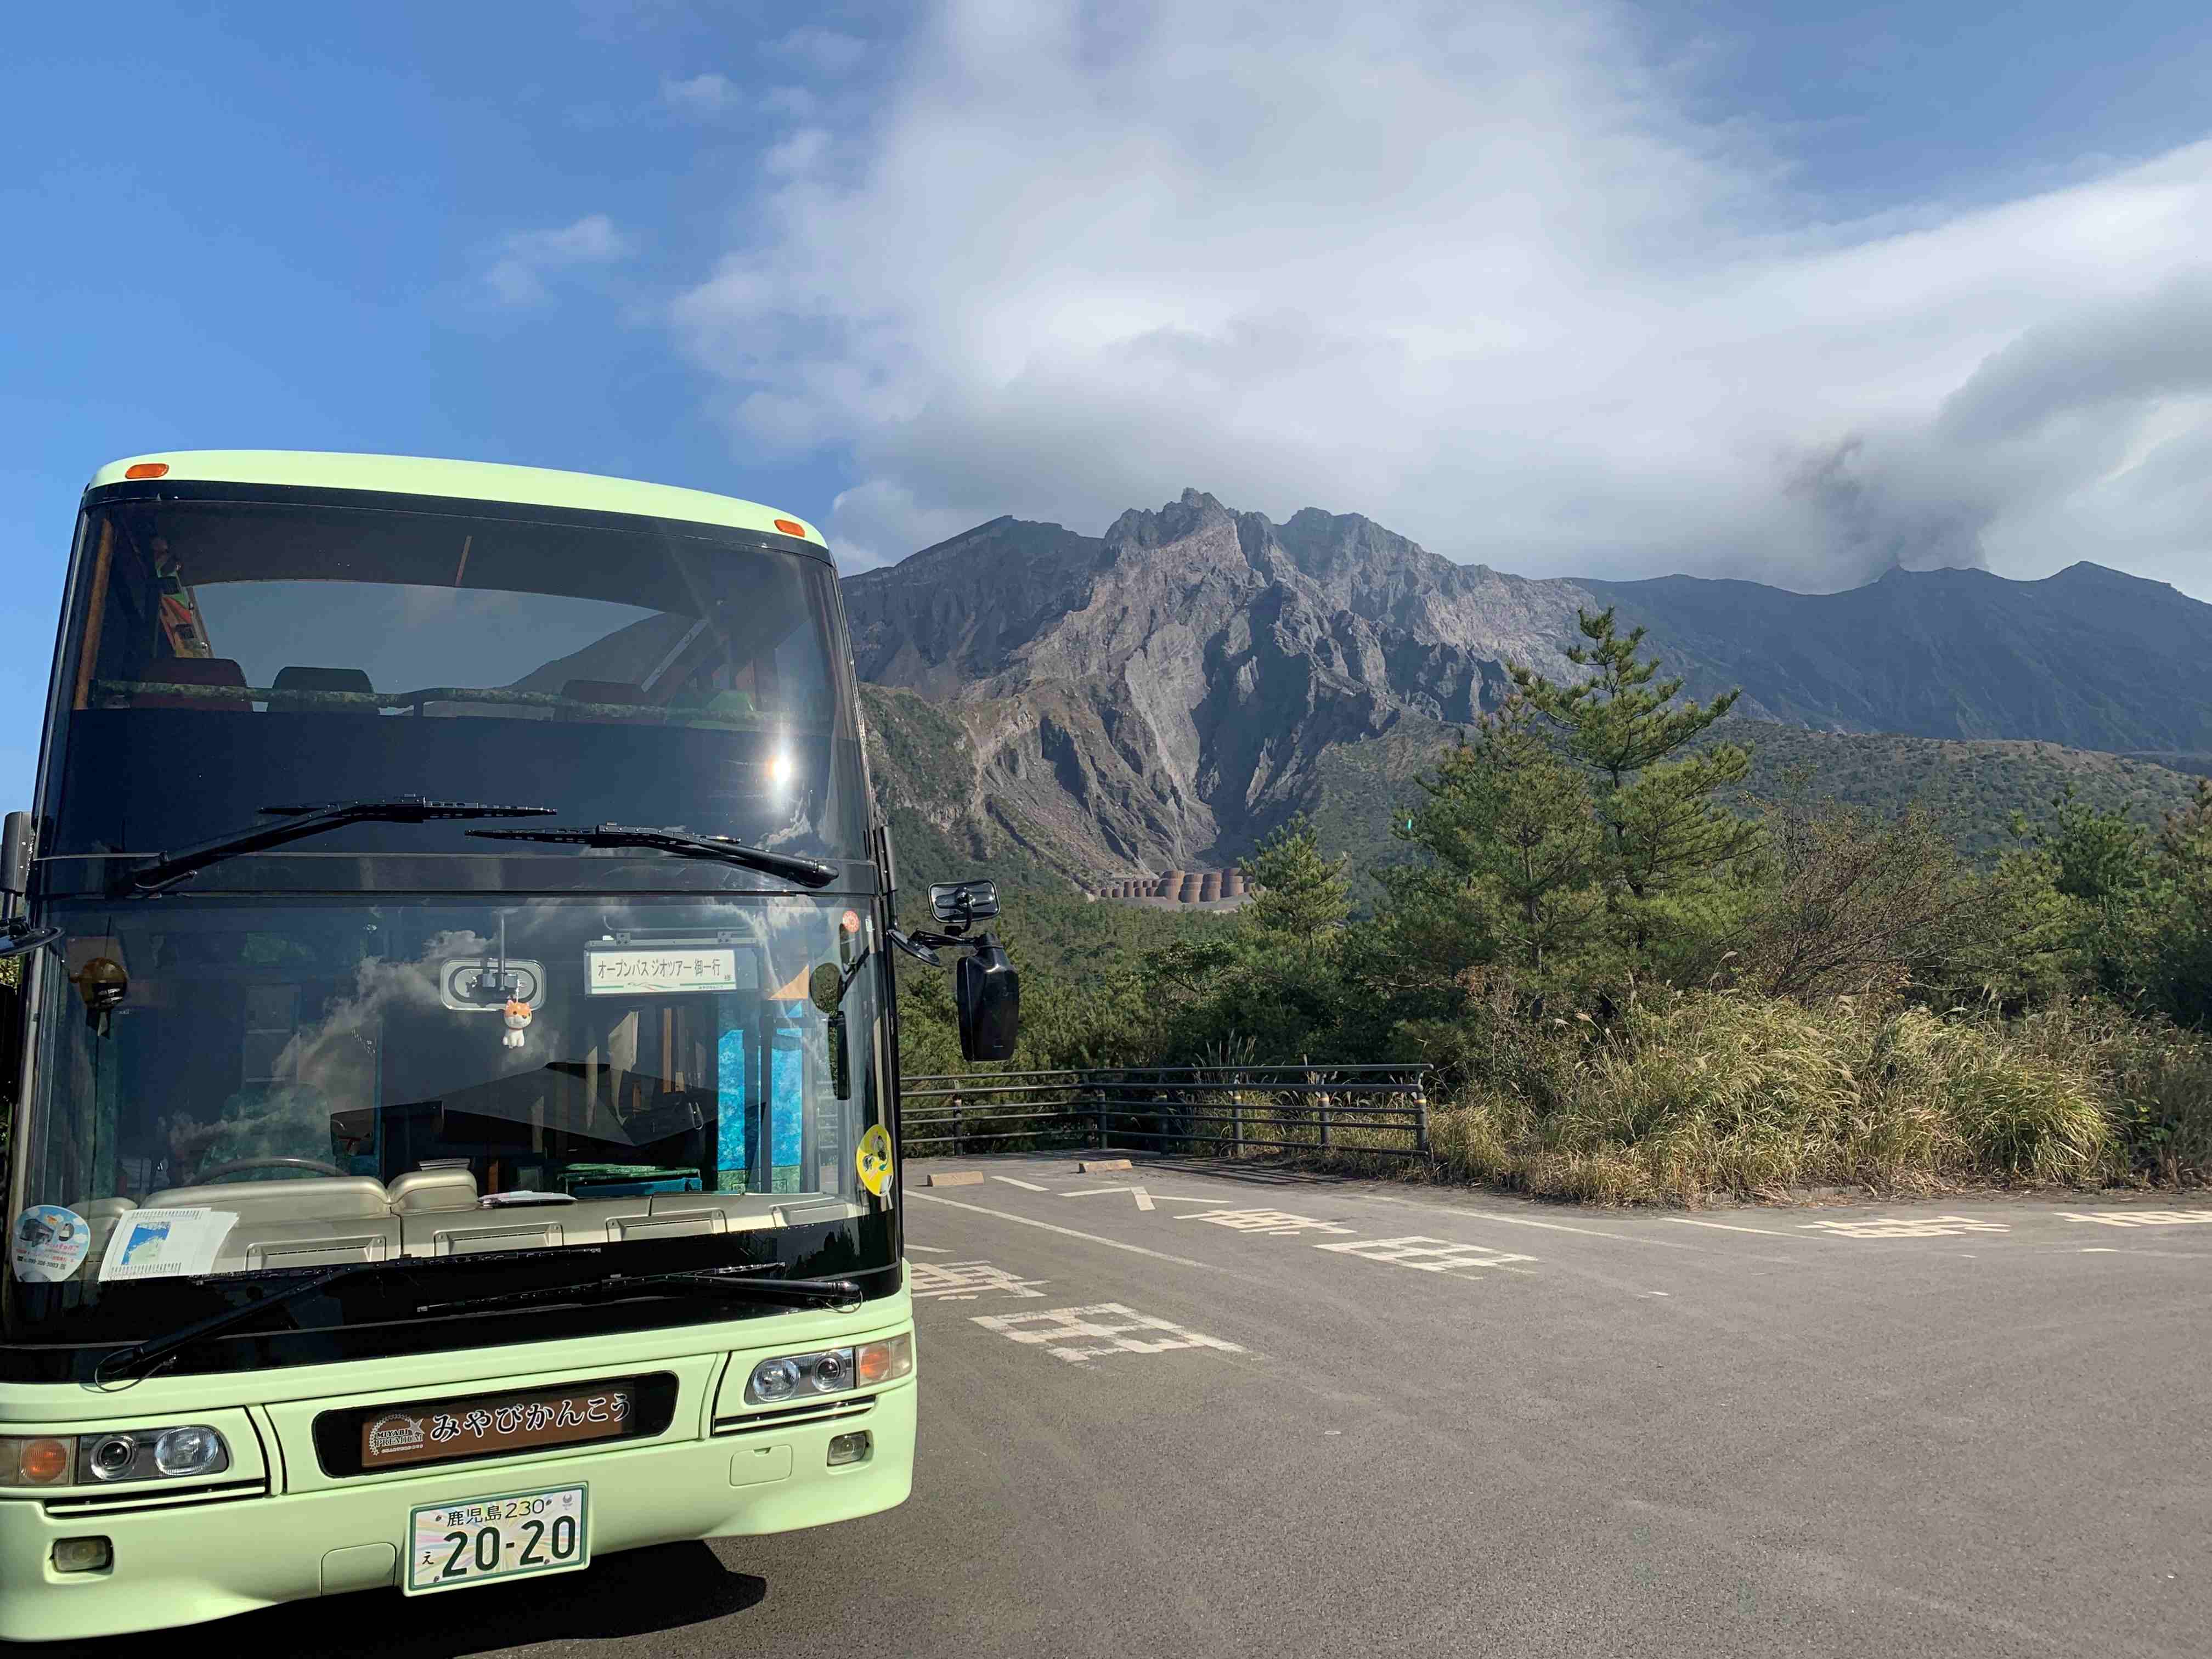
<point>1218,1112</point>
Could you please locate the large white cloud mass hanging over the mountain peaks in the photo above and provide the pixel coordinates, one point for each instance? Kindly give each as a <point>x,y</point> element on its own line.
<point>1479,275</point>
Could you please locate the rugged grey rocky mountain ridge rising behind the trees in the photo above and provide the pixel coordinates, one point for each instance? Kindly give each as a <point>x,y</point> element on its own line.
<point>1165,693</point>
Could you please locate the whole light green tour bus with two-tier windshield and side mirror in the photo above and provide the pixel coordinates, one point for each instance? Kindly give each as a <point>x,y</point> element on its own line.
<point>450,1050</point>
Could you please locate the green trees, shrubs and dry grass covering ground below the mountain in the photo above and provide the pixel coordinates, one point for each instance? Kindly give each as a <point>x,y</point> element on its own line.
<point>1649,974</point>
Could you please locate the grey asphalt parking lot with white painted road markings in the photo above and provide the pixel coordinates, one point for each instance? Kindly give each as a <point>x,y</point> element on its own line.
<point>1242,1412</point>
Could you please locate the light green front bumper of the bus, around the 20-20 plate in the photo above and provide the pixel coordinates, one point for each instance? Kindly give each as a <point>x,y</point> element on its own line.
<point>174,1569</point>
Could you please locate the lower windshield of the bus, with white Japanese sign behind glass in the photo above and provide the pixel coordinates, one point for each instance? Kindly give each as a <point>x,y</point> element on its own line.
<point>311,1085</point>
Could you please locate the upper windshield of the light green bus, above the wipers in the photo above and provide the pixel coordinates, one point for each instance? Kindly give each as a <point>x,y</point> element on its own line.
<point>233,656</point>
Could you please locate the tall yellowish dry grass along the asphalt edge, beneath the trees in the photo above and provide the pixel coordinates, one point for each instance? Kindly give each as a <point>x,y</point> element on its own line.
<point>1722,1094</point>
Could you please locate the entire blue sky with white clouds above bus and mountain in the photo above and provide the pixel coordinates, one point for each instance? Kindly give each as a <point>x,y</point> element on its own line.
<point>906,269</point>
